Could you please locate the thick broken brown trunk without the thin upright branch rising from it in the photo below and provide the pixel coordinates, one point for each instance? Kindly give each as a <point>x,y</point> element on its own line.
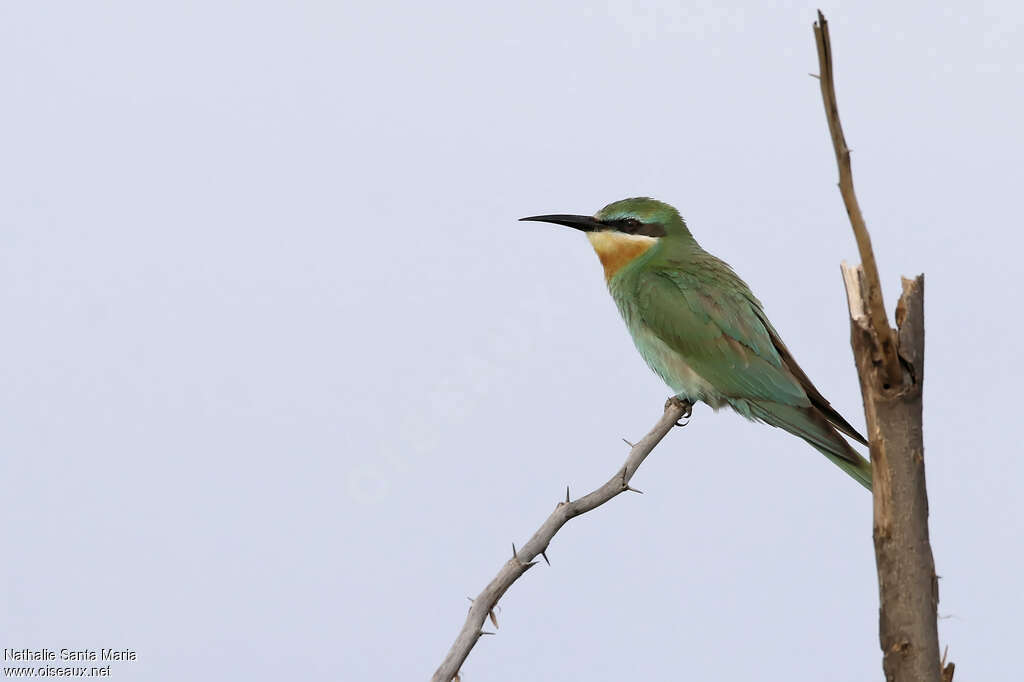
<point>908,587</point>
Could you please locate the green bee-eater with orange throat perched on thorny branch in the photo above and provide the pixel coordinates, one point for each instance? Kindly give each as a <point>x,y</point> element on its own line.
<point>700,328</point>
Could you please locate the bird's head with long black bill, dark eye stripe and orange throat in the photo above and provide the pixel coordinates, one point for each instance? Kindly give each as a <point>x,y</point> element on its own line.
<point>626,230</point>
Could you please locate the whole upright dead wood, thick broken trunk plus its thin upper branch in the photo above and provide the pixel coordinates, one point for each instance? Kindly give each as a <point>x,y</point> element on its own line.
<point>891,368</point>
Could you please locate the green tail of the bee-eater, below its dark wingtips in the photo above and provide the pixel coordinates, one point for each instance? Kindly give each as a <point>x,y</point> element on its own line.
<point>812,425</point>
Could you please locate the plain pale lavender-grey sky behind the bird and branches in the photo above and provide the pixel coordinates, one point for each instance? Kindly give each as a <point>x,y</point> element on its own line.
<point>284,378</point>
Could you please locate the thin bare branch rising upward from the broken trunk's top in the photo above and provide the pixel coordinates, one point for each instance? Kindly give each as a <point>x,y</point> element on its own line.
<point>880,322</point>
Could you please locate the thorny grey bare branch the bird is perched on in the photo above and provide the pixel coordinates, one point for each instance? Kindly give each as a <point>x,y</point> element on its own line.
<point>538,544</point>
